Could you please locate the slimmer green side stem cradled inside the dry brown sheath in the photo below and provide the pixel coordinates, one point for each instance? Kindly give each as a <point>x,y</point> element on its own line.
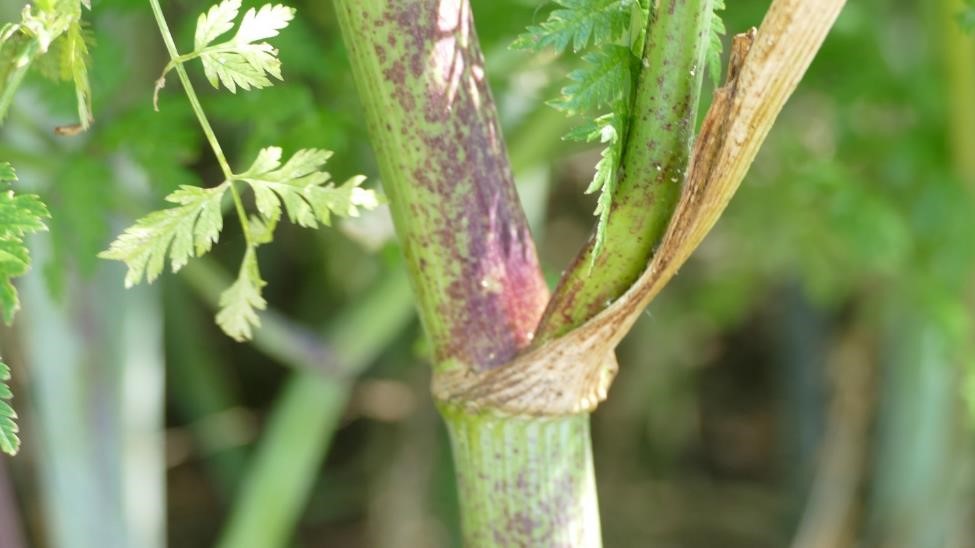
<point>653,167</point>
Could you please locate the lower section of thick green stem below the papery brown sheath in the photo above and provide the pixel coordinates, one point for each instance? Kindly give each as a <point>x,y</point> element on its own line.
<point>525,481</point>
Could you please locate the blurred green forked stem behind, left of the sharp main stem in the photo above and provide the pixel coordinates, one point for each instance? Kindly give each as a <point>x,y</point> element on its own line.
<point>306,416</point>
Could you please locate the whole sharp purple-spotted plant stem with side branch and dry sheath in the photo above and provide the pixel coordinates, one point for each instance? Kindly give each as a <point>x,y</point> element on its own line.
<point>515,391</point>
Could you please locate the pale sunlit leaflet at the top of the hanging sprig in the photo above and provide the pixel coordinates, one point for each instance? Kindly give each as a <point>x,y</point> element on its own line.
<point>244,61</point>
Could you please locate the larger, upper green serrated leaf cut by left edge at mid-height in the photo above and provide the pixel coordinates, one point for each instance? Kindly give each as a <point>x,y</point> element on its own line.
<point>20,215</point>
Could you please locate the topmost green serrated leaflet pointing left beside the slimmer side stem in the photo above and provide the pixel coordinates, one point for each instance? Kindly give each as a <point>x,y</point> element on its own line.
<point>578,22</point>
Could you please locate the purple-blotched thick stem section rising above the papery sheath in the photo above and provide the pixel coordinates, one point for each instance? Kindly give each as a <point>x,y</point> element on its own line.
<point>433,124</point>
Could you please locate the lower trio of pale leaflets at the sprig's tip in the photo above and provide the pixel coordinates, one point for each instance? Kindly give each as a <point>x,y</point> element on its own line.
<point>191,228</point>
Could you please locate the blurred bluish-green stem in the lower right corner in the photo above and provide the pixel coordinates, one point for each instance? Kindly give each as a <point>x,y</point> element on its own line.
<point>919,472</point>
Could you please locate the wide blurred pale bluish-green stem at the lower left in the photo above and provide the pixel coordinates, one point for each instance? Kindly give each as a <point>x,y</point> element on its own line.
<point>98,399</point>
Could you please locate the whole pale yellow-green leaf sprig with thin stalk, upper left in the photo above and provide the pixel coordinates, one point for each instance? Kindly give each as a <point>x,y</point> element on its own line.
<point>192,227</point>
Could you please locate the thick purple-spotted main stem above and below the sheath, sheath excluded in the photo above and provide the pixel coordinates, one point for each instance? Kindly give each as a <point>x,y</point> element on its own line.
<point>433,124</point>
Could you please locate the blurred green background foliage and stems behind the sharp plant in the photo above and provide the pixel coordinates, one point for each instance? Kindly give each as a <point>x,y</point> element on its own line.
<point>803,382</point>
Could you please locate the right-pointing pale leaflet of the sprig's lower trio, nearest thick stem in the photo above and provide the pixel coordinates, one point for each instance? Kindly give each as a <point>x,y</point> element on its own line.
<point>303,188</point>
